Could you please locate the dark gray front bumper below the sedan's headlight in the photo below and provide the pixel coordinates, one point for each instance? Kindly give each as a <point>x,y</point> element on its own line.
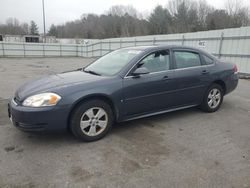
<point>44,119</point>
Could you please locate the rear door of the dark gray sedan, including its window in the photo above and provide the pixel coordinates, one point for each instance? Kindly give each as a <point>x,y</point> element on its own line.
<point>189,77</point>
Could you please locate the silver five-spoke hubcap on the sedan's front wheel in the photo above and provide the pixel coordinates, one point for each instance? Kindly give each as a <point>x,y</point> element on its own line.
<point>94,121</point>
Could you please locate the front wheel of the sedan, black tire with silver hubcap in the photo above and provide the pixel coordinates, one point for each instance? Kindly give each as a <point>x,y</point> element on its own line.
<point>91,120</point>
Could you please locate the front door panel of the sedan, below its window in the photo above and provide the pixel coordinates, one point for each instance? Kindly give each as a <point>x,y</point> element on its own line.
<point>148,93</point>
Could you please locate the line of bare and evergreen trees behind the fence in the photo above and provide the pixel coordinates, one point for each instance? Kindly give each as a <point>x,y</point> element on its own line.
<point>178,16</point>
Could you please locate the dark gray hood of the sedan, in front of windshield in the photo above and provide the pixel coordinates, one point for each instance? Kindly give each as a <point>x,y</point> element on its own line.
<point>51,82</point>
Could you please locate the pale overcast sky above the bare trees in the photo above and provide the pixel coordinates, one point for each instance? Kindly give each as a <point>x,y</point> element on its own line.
<point>60,11</point>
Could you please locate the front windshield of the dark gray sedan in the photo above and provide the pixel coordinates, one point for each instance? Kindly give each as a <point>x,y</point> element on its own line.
<point>112,63</point>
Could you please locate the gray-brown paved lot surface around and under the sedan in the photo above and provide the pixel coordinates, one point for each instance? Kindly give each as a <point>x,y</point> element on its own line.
<point>187,148</point>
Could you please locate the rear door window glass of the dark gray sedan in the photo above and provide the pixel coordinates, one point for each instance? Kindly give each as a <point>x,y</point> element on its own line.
<point>186,59</point>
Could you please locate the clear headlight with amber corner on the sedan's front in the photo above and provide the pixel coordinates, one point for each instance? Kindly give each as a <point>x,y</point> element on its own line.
<point>43,99</point>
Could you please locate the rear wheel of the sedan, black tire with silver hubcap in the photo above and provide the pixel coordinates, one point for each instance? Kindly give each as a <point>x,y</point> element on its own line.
<point>212,99</point>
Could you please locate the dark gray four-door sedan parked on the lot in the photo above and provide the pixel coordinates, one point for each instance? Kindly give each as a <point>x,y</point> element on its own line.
<point>123,85</point>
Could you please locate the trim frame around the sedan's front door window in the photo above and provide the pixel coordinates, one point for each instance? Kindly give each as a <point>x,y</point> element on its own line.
<point>127,75</point>
